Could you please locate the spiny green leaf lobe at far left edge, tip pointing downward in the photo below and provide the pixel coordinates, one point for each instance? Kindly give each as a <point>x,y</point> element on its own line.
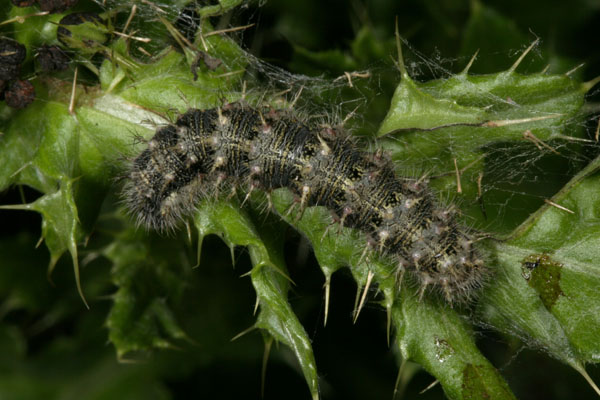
<point>51,168</point>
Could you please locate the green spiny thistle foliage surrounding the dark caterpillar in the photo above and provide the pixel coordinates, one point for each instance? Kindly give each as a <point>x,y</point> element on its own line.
<point>464,132</point>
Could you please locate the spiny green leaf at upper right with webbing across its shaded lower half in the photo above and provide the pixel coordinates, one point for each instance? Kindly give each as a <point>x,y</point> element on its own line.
<point>486,127</point>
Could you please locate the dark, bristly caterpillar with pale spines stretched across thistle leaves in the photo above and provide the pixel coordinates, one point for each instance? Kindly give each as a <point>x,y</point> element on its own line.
<point>270,149</point>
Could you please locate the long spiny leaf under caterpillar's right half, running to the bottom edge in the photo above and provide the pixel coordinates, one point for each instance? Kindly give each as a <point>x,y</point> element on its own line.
<point>423,331</point>
